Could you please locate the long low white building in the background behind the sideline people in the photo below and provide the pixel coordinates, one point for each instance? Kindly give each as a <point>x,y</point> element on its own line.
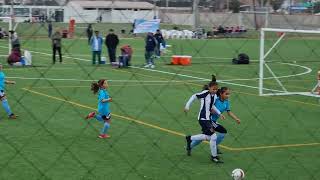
<point>108,11</point>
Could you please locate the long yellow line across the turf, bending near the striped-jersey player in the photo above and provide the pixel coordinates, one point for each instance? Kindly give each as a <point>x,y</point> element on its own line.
<point>171,131</point>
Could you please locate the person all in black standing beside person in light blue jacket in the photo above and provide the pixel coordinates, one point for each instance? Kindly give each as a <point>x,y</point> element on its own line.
<point>112,42</point>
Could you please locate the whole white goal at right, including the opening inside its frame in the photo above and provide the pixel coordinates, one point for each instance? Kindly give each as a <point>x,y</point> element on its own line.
<point>289,62</point>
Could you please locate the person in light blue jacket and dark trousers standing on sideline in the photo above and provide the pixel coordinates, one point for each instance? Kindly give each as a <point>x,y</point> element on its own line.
<point>96,42</point>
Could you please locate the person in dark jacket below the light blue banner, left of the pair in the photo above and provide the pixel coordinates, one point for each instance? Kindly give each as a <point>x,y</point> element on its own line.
<point>151,44</point>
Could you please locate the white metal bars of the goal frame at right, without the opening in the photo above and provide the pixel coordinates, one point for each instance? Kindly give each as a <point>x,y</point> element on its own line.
<point>262,63</point>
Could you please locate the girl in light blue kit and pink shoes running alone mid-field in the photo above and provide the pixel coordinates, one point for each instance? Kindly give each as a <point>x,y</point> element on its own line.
<point>104,100</point>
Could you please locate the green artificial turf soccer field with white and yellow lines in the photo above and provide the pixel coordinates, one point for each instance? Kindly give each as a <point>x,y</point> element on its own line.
<point>278,137</point>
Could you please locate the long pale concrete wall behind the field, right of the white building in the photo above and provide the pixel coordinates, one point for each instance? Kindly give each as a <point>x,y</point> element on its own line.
<point>230,19</point>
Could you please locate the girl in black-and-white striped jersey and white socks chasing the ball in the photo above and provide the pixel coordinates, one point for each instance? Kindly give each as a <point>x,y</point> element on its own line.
<point>207,98</point>
